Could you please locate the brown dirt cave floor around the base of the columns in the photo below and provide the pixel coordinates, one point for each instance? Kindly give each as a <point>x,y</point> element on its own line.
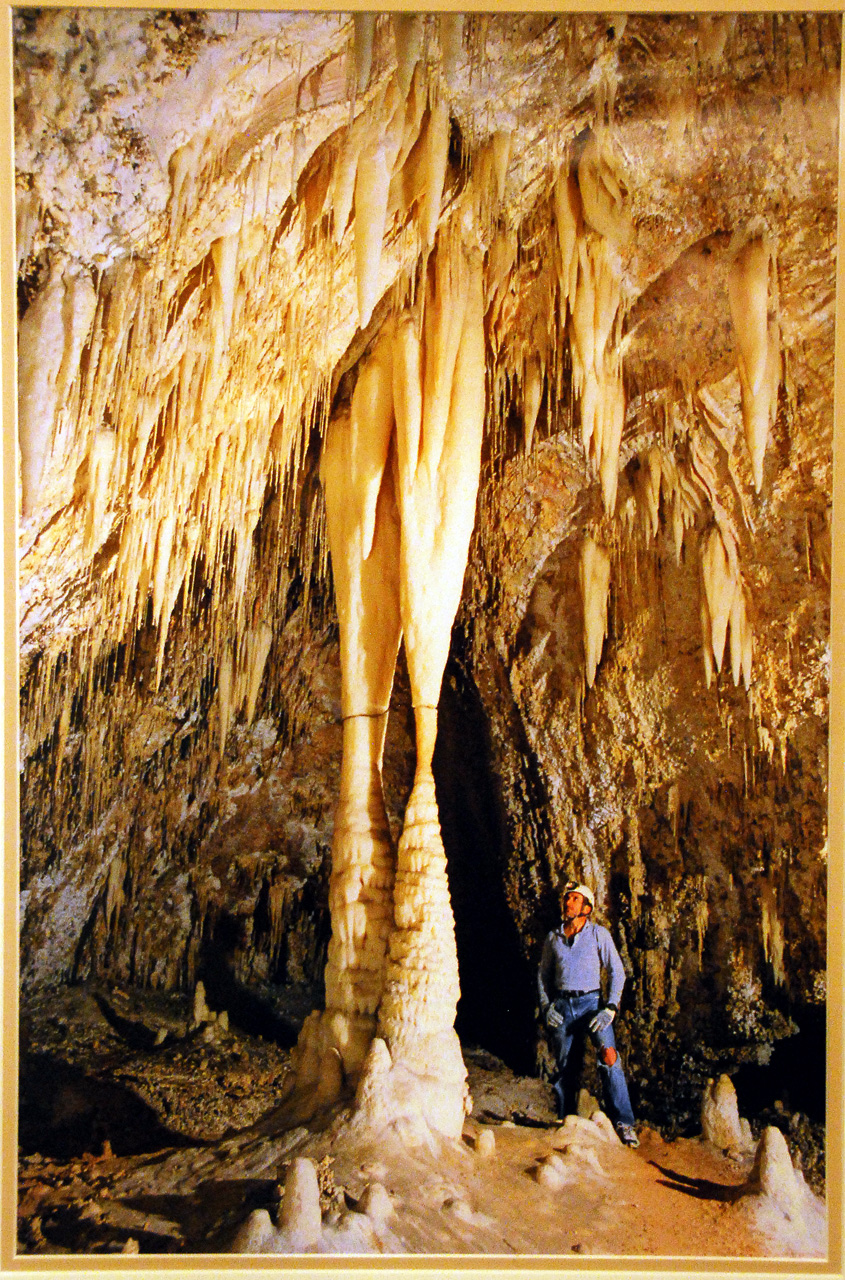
<point>147,1130</point>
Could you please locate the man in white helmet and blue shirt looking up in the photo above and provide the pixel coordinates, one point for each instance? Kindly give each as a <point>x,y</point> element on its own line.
<point>570,980</point>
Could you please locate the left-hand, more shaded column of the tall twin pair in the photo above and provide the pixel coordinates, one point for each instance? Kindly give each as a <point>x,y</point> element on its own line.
<point>364,542</point>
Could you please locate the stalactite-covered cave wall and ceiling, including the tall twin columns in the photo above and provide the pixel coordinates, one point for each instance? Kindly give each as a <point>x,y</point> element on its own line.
<point>336,331</point>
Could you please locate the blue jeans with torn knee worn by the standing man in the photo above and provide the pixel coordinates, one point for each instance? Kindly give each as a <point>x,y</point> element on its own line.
<point>569,1043</point>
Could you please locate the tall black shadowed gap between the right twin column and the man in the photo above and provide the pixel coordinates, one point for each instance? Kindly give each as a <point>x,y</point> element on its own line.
<point>496,1011</point>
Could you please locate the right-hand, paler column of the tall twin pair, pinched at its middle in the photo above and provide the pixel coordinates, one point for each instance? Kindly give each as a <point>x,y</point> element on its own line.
<point>440,401</point>
